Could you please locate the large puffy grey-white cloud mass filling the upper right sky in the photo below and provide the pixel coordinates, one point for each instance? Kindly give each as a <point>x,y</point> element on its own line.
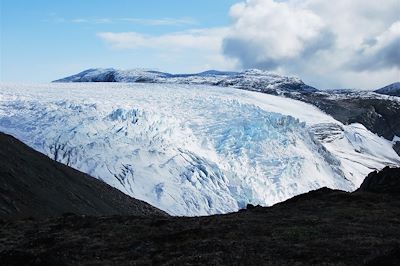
<point>328,44</point>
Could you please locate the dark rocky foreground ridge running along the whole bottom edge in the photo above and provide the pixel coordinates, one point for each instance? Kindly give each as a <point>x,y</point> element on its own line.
<point>322,227</point>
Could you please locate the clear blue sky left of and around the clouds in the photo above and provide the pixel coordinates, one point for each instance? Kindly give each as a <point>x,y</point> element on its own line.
<point>43,40</point>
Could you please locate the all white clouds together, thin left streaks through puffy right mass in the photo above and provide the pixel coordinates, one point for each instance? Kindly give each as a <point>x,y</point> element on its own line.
<point>327,44</point>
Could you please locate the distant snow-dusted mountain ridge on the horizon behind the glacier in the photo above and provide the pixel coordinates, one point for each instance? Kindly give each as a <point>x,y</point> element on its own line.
<point>252,79</point>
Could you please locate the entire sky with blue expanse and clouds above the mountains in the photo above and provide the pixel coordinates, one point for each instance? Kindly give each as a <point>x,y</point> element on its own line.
<point>348,44</point>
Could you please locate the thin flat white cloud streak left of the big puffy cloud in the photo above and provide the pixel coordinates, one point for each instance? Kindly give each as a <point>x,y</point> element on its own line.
<point>186,51</point>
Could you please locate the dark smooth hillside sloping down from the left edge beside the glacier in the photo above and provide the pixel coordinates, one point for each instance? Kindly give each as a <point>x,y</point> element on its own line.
<point>33,185</point>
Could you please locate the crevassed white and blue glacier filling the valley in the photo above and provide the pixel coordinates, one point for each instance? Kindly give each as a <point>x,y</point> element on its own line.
<point>192,150</point>
